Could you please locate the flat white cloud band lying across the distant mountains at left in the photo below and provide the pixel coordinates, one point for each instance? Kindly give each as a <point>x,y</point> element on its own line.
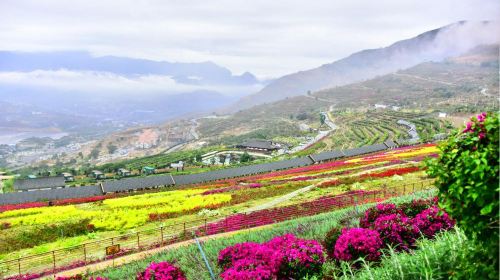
<point>105,82</point>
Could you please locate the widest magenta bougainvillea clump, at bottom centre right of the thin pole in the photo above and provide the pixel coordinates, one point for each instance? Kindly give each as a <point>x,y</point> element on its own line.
<point>283,257</point>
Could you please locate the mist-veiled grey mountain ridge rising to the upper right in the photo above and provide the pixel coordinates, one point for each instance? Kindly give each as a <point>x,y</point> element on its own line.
<point>434,45</point>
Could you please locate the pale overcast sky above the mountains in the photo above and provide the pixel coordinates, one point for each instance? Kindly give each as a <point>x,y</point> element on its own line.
<point>266,38</point>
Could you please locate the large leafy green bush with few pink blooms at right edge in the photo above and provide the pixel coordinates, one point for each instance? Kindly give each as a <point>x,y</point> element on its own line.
<point>467,178</point>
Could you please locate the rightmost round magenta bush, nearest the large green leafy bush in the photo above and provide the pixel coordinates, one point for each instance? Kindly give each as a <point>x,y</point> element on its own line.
<point>432,220</point>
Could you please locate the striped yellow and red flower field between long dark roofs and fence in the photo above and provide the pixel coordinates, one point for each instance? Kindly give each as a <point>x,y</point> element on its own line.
<point>103,217</point>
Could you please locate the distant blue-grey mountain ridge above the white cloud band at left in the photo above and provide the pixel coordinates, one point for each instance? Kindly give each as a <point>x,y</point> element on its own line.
<point>203,73</point>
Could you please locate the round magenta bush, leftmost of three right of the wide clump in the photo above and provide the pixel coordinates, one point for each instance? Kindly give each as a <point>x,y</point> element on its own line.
<point>357,243</point>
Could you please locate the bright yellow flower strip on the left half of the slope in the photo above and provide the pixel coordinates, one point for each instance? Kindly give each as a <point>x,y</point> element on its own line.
<point>117,213</point>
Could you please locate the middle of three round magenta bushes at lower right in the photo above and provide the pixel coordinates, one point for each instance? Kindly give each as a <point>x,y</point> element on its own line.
<point>396,230</point>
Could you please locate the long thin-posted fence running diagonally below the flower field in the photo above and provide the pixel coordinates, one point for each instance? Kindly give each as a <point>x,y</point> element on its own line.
<point>34,266</point>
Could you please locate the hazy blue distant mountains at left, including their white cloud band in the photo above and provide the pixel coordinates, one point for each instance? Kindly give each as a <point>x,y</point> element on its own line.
<point>118,89</point>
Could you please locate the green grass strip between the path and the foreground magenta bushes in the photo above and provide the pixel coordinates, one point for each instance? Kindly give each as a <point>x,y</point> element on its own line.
<point>189,258</point>
